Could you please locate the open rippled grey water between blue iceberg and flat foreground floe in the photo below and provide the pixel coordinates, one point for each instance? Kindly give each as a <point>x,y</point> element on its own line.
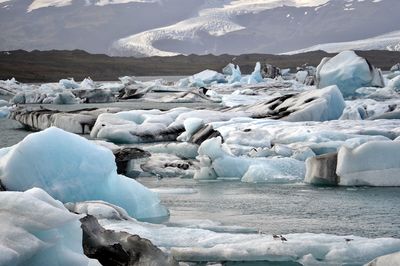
<point>286,208</point>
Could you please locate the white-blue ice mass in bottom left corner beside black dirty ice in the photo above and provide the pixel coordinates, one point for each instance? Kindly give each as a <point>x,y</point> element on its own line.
<point>37,230</point>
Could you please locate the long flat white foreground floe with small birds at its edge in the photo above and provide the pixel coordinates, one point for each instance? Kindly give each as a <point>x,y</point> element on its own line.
<point>199,245</point>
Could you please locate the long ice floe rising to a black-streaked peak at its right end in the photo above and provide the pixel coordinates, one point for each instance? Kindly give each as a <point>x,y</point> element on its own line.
<point>154,125</point>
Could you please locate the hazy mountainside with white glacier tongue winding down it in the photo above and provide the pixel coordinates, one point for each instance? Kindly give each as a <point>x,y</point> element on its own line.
<point>170,27</point>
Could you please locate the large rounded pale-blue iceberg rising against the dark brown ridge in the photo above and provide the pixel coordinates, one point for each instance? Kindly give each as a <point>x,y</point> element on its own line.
<point>349,72</point>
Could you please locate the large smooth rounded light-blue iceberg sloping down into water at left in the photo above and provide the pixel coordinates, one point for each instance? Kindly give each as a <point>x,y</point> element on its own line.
<point>71,169</point>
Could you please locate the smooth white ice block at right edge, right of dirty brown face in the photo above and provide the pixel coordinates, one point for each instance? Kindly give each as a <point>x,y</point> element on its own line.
<point>374,163</point>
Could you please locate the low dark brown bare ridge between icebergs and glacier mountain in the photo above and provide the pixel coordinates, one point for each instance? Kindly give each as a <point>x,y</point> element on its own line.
<point>51,66</point>
